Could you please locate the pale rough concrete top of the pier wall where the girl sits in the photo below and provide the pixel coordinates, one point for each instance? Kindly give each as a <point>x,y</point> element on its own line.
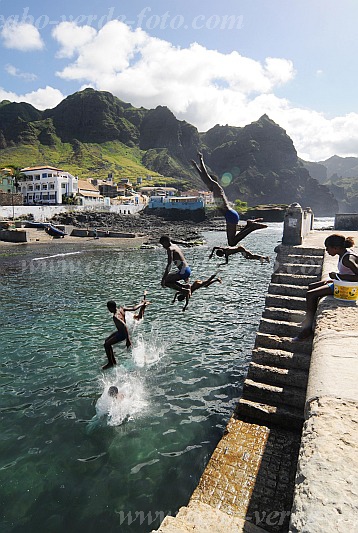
<point>325,496</point>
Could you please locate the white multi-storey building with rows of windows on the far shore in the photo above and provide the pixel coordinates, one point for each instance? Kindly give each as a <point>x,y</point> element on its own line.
<point>47,185</point>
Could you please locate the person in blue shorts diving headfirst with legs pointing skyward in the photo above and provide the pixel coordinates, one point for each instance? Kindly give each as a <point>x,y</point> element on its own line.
<point>232,217</point>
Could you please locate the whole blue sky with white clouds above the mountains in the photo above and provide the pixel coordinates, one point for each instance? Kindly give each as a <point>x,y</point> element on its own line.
<point>209,62</point>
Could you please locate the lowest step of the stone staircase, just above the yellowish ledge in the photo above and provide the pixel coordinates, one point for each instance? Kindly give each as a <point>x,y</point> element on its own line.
<point>286,417</point>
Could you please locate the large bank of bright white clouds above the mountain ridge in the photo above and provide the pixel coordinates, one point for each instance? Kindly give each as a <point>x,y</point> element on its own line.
<point>204,87</point>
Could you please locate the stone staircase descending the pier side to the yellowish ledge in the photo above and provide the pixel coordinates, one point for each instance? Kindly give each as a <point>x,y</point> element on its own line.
<point>275,387</point>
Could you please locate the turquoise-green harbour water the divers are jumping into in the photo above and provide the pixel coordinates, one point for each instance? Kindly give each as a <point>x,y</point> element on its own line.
<point>72,460</point>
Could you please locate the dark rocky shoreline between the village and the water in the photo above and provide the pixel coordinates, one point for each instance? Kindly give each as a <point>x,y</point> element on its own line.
<point>141,223</point>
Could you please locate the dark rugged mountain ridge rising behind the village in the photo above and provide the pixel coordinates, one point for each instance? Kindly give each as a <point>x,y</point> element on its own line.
<point>257,163</point>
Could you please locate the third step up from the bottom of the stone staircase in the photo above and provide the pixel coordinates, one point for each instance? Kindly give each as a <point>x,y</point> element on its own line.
<point>281,358</point>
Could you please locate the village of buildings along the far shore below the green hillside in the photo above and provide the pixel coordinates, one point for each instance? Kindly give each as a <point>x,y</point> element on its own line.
<point>41,192</point>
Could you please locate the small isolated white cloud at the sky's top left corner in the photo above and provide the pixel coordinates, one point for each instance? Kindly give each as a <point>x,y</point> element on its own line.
<point>21,36</point>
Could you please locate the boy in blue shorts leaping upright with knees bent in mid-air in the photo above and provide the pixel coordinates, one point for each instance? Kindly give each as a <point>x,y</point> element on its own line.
<point>176,259</point>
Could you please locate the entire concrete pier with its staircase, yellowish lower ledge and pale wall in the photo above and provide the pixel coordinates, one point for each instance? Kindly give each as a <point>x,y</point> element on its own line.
<point>250,483</point>
